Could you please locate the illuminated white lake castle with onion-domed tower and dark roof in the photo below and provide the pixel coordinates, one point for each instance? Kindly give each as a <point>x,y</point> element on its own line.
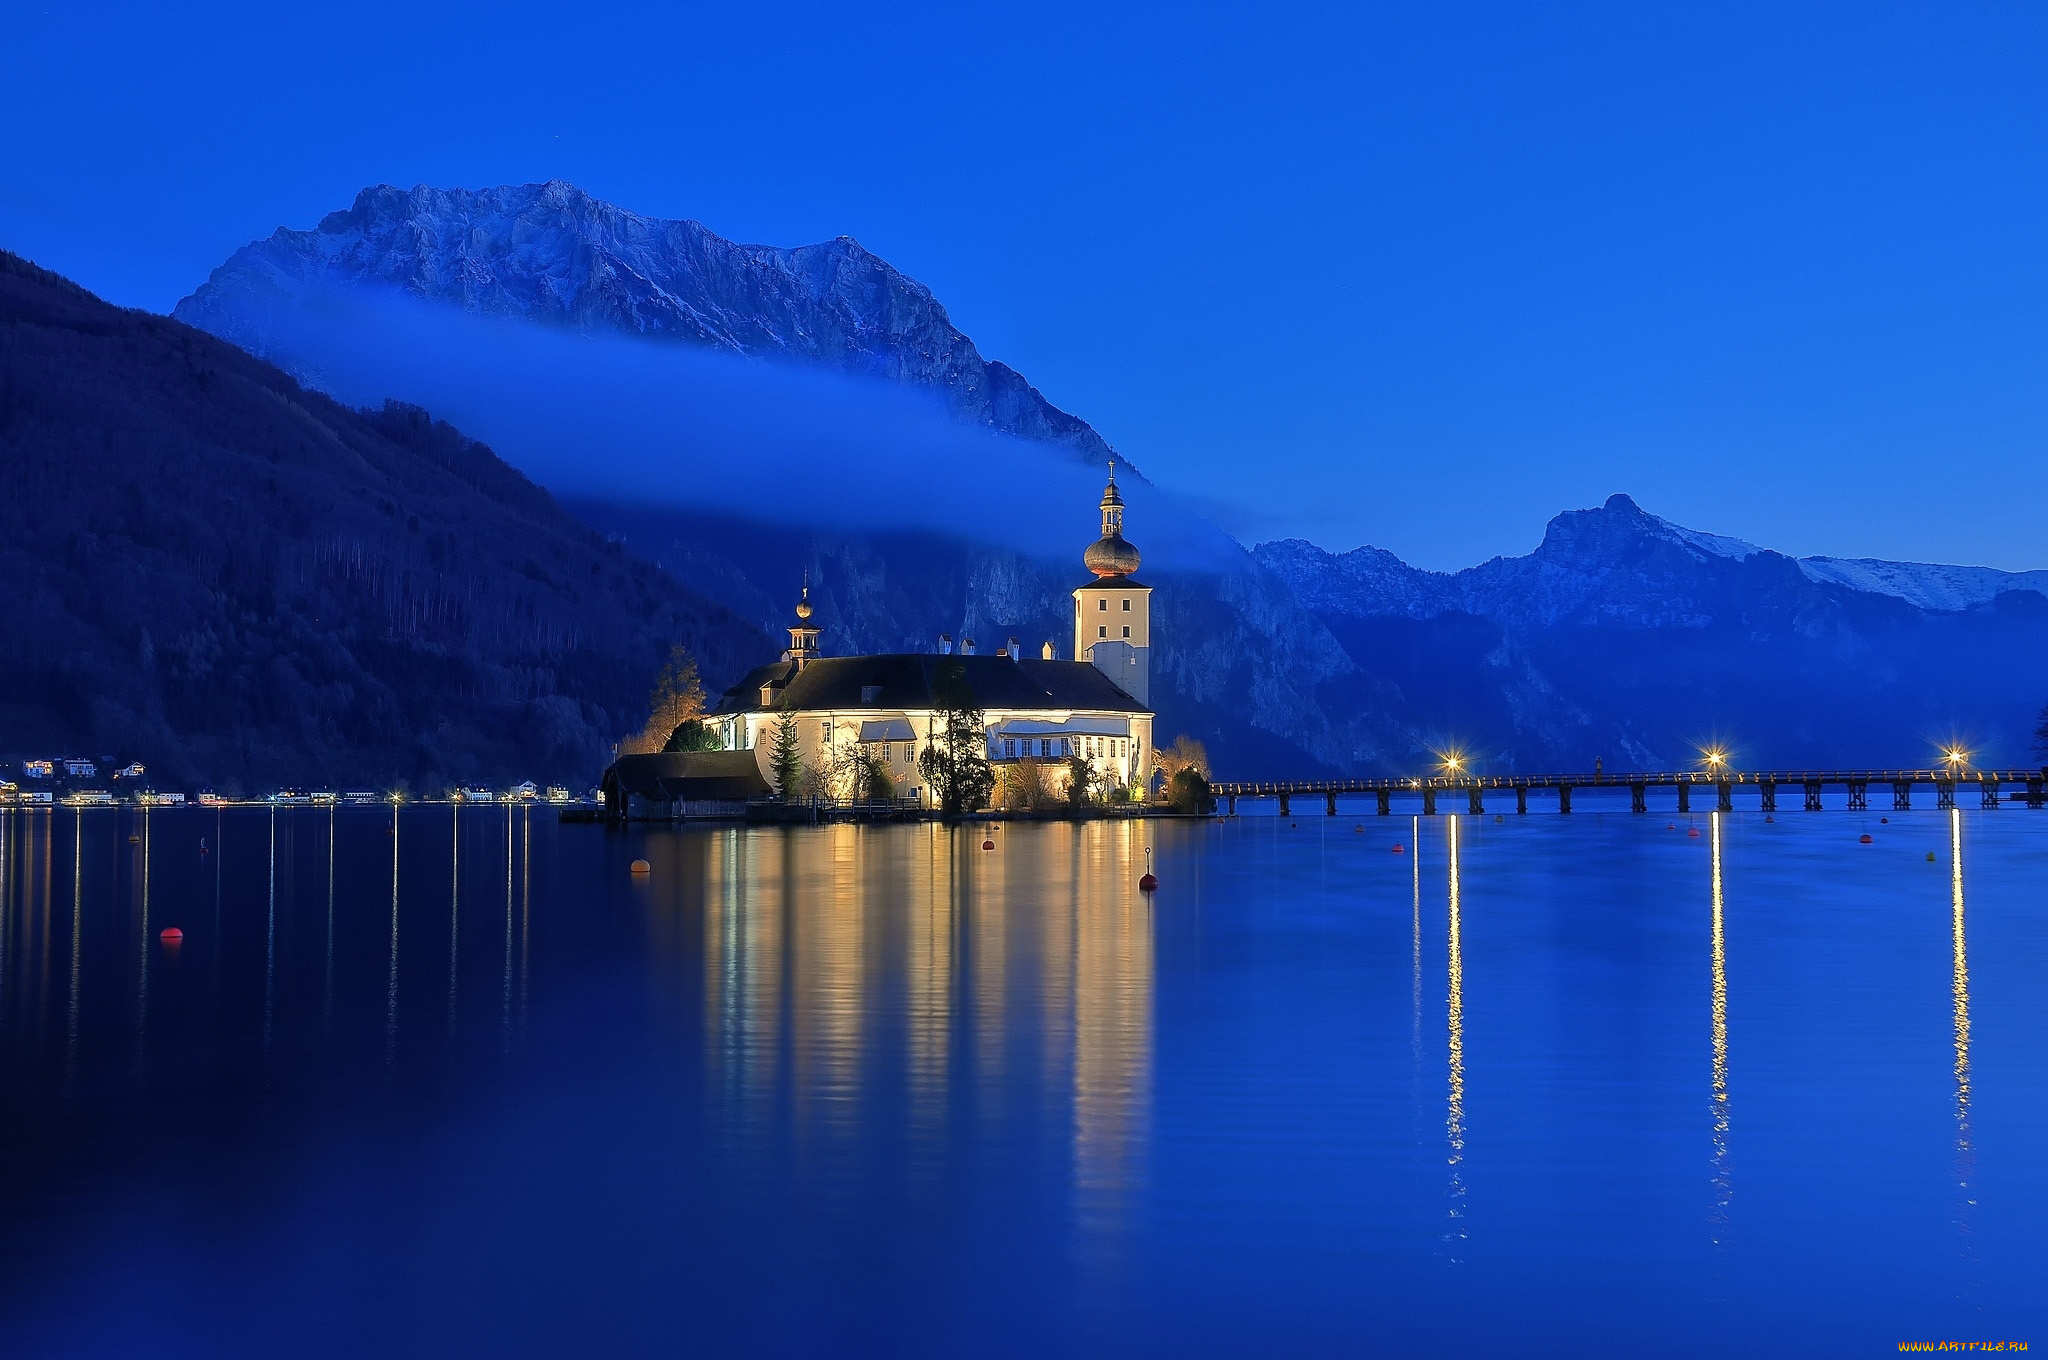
<point>1041,710</point>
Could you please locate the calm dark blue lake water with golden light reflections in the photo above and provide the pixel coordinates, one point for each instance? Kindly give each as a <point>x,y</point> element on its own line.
<point>1533,1087</point>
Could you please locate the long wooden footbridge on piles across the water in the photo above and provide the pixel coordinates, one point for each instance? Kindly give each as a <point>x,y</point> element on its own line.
<point>1992,788</point>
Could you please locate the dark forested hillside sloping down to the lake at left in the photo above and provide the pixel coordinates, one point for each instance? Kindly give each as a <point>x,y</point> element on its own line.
<point>228,577</point>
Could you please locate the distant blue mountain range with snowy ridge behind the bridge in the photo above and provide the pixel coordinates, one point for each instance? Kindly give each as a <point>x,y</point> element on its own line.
<point>1635,640</point>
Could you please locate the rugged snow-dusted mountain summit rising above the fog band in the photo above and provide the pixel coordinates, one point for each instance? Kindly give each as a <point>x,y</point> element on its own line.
<point>554,255</point>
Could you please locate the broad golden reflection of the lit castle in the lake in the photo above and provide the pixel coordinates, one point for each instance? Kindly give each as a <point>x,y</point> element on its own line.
<point>845,960</point>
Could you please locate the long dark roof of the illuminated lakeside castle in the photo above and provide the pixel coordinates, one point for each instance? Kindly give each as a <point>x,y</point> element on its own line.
<point>906,683</point>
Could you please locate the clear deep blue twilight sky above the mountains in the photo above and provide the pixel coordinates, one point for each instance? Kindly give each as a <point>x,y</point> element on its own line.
<point>1402,275</point>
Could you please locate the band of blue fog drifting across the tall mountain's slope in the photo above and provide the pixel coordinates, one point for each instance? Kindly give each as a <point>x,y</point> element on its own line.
<point>673,425</point>
